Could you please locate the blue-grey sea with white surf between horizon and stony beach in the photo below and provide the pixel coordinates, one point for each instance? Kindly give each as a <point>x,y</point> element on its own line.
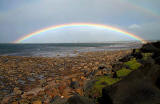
<point>60,49</point>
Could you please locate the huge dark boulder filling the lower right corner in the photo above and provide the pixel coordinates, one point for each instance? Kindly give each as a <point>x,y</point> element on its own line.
<point>139,87</point>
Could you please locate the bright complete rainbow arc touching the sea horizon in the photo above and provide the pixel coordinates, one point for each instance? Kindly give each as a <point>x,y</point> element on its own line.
<point>79,25</point>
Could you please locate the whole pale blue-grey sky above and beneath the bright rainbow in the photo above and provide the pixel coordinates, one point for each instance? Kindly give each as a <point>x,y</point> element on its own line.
<point>21,17</point>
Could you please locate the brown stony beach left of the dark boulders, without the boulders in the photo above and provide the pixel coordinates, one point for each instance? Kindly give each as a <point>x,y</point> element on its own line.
<point>37,80</point>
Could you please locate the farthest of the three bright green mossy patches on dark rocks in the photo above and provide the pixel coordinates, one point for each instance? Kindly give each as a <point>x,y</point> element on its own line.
<point>133,64</point>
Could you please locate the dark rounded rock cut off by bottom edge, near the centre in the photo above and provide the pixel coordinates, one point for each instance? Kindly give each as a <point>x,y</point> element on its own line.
<point>79,100</point>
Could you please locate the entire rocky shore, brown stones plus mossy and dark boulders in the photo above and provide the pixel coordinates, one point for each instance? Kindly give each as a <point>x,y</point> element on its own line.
<point>105,77</point>
